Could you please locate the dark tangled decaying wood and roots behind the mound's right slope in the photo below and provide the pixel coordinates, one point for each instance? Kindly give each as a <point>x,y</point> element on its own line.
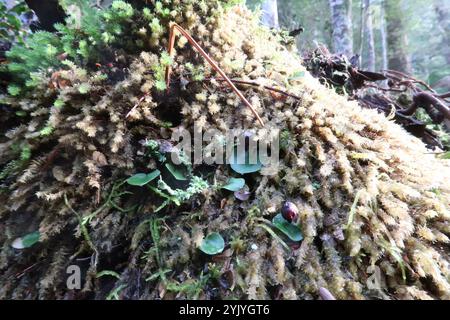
<point>325,66</point>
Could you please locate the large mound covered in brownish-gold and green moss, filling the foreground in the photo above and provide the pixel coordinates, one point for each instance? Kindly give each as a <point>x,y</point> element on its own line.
<point>373,203</point>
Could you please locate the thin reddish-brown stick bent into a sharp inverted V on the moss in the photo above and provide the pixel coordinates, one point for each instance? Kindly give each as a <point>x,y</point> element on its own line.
<point>175,27</point>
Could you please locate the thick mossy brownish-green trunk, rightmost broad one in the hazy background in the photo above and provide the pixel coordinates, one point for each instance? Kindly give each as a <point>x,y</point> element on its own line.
<point>398,58</point>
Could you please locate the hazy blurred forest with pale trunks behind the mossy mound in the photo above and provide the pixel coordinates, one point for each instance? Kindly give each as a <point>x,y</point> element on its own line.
<point>411,36</point>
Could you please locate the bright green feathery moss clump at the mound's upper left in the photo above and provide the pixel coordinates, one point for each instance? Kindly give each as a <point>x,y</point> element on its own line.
<point>85,37</point>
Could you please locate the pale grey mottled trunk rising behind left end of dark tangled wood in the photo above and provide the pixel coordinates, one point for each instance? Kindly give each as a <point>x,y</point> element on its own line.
<point>341,11</point>
